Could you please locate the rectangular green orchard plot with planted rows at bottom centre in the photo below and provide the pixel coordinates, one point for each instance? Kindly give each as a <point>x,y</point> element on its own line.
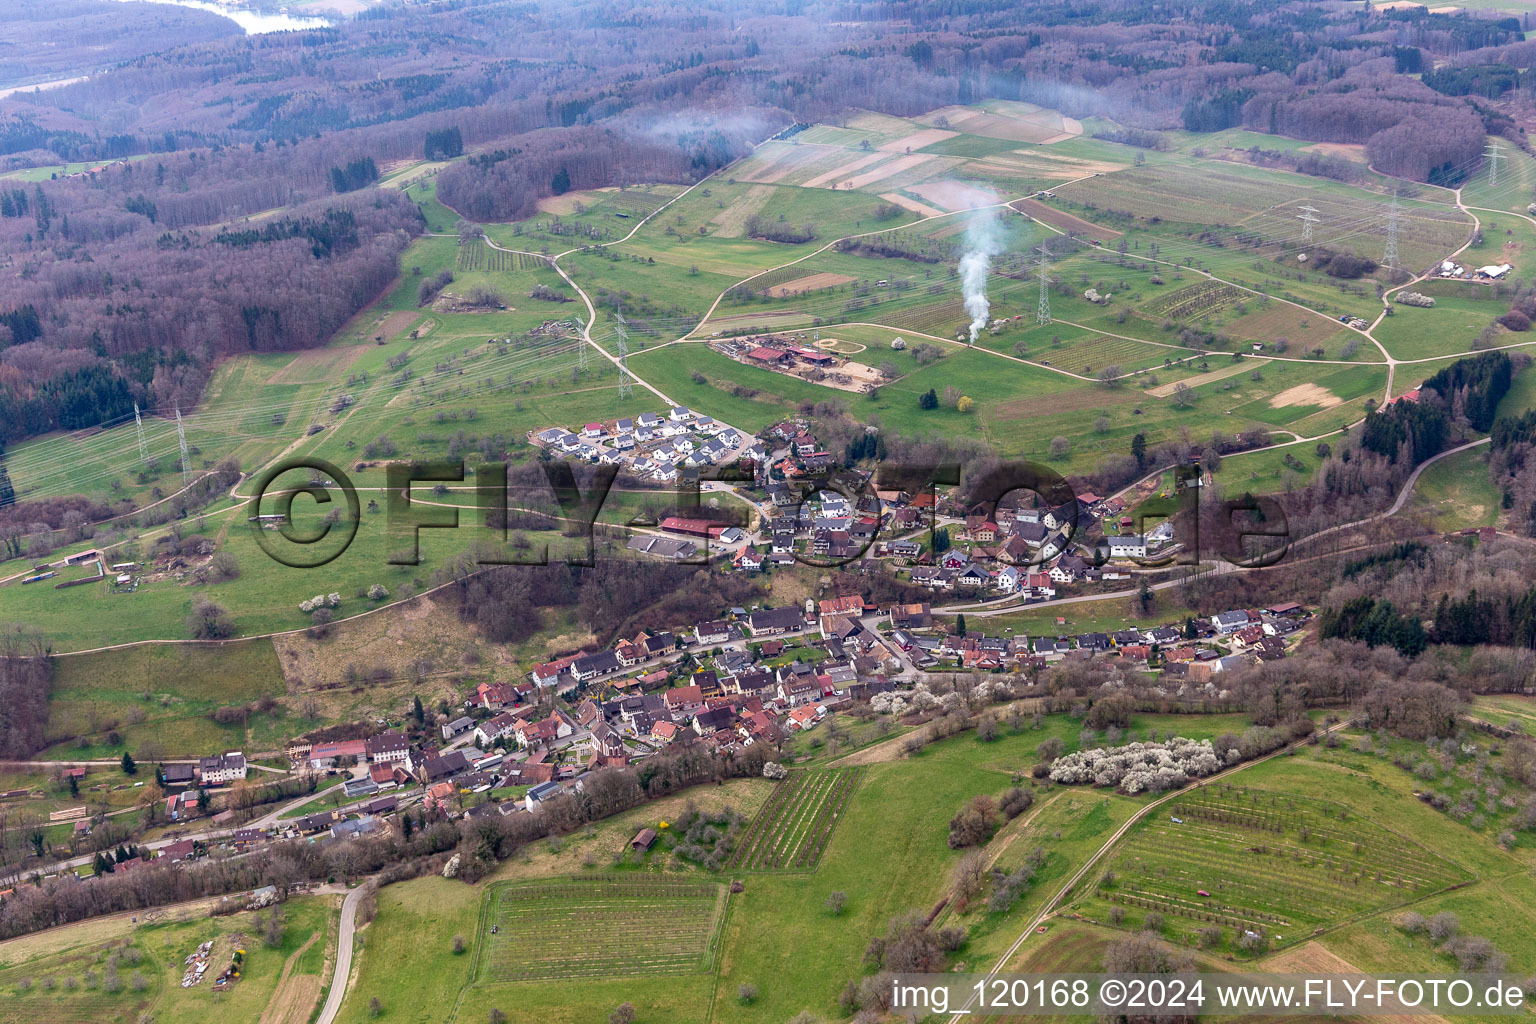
<point>569,930</point>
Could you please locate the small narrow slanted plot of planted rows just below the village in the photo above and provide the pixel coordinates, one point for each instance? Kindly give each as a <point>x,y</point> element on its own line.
<point>796,824</point>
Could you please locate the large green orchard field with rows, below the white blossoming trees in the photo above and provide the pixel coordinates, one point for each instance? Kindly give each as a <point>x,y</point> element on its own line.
<point>1271,864</point>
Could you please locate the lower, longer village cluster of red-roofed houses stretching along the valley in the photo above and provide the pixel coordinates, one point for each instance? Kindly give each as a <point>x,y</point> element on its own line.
<point>746,679</point>
